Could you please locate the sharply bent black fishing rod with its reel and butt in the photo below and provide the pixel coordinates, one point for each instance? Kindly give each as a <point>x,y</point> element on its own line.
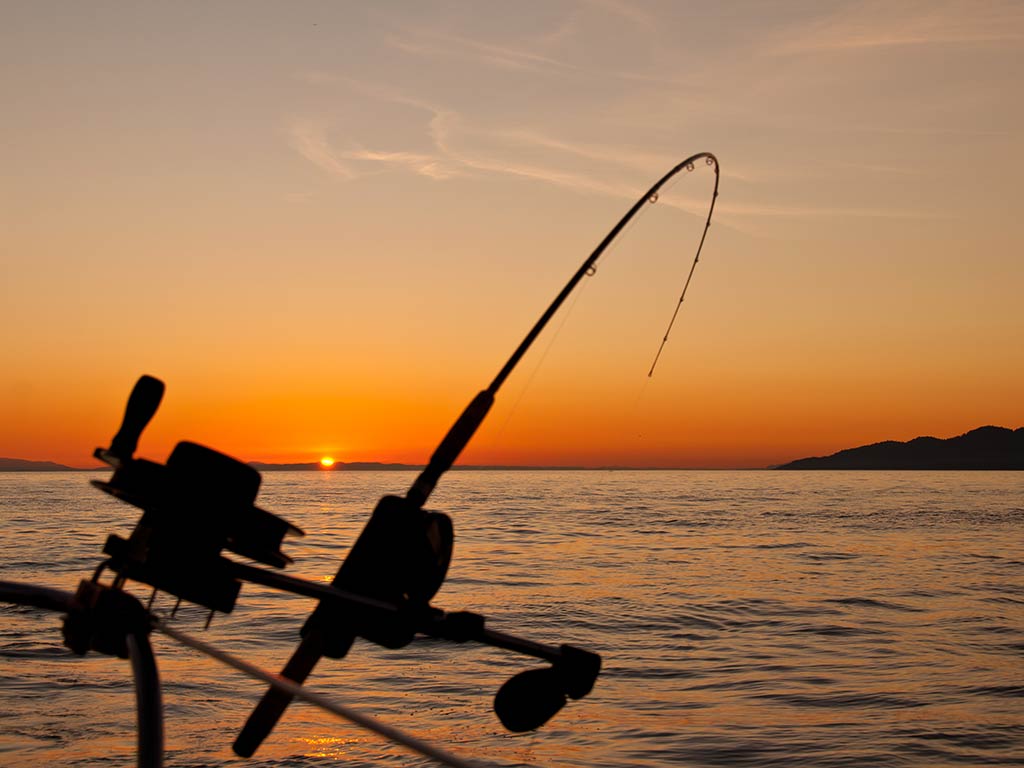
<point>371,565</point>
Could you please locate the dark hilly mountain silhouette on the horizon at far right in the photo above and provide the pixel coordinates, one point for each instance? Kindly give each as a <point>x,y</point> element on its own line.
<point>986,448</point>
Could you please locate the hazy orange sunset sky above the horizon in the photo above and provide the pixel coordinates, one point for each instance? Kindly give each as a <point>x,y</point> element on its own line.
<point>327,226</point>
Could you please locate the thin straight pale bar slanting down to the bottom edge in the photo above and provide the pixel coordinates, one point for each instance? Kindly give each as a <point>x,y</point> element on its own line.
<point>300,692</point>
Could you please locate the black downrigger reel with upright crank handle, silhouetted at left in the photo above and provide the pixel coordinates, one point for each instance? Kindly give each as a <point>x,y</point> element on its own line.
<point>196,506</point>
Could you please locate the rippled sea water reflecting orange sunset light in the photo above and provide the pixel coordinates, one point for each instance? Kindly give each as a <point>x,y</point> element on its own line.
<point>746,619</point>
